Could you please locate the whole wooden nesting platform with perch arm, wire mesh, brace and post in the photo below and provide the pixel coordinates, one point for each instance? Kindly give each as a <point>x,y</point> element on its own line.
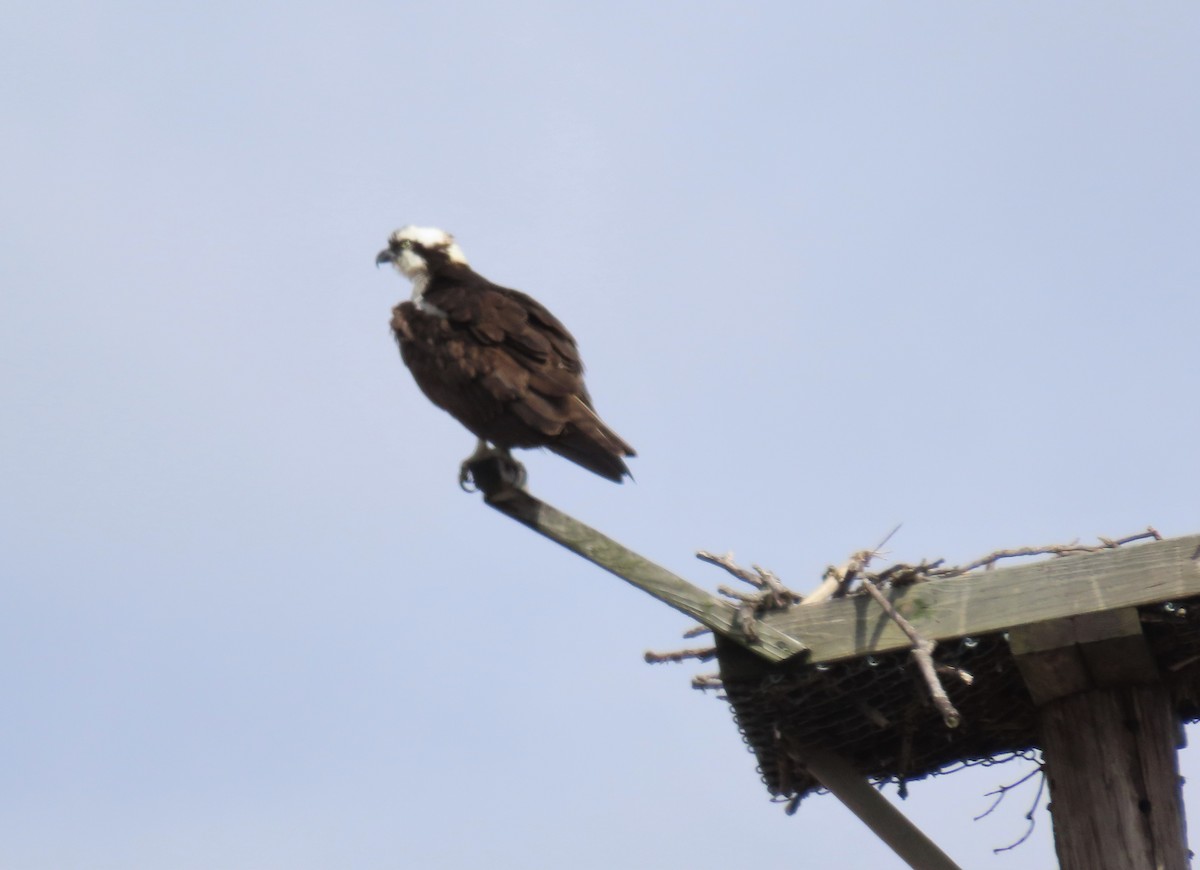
<point>1096,656</point>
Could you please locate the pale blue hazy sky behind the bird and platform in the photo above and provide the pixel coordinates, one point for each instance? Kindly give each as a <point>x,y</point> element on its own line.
<point>832,266</point>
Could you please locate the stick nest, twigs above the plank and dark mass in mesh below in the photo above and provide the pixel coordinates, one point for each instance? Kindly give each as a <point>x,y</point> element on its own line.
<point>901,717</point>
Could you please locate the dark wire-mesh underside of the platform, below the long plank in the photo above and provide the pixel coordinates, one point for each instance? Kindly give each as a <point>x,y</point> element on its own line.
<point>875,712</point>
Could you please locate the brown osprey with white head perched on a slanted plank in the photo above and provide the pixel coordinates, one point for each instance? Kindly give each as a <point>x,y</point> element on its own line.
<point>495,359</point>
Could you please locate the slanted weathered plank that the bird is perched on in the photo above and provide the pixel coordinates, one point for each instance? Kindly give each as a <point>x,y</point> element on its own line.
<point>766,641</point>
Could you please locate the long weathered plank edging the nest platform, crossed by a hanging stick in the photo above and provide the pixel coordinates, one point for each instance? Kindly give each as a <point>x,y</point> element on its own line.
<point>988,602</point>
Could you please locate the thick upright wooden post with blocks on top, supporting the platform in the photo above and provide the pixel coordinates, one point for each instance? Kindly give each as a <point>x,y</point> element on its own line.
<point>1108,733</point>
